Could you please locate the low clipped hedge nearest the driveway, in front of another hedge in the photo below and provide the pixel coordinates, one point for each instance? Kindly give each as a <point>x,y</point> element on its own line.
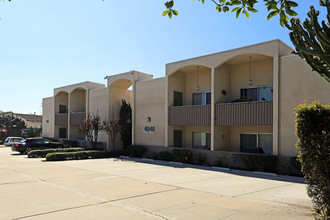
<point>77,155</point>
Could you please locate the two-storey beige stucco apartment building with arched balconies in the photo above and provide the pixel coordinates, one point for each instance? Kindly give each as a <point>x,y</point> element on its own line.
<point>239,100</point>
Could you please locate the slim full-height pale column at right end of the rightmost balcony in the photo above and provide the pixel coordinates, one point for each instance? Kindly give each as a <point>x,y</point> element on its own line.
<point>276,103</point>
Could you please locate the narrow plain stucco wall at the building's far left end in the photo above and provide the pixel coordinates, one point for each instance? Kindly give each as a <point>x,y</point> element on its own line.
<point>48,120</point>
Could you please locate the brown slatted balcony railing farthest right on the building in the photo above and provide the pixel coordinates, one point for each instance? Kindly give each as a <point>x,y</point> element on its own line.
<point>244,113</point>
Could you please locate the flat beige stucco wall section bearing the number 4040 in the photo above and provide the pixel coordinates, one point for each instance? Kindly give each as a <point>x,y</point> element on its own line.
<point>150,102</point>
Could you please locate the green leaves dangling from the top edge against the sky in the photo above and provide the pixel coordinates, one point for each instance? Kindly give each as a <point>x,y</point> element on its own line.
<point>281,8</point>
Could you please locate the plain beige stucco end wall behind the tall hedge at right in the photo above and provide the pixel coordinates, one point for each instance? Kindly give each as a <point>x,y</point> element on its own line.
<point>297,84</point>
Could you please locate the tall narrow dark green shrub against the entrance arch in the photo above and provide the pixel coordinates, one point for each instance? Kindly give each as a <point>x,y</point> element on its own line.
<point>125,122</point>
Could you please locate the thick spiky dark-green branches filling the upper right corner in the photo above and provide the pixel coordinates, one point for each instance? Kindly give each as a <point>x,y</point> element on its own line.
<point>312,40</point>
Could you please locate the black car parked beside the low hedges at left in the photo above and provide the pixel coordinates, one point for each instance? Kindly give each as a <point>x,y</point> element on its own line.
<point>26,145</point>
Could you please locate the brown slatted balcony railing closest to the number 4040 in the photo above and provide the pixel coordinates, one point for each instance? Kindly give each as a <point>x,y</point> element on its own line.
<point>194,115</point>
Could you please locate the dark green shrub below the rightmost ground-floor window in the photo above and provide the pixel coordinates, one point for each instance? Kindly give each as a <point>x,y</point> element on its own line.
<point>265,163</point>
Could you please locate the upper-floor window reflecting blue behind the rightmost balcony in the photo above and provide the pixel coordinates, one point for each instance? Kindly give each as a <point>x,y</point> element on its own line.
<point>260,93</point>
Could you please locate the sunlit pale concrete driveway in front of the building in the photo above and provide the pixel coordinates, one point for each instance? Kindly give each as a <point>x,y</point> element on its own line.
<point>128,189</point>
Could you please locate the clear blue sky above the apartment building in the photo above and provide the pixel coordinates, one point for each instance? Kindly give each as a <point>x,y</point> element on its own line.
<point>47,44</point>
